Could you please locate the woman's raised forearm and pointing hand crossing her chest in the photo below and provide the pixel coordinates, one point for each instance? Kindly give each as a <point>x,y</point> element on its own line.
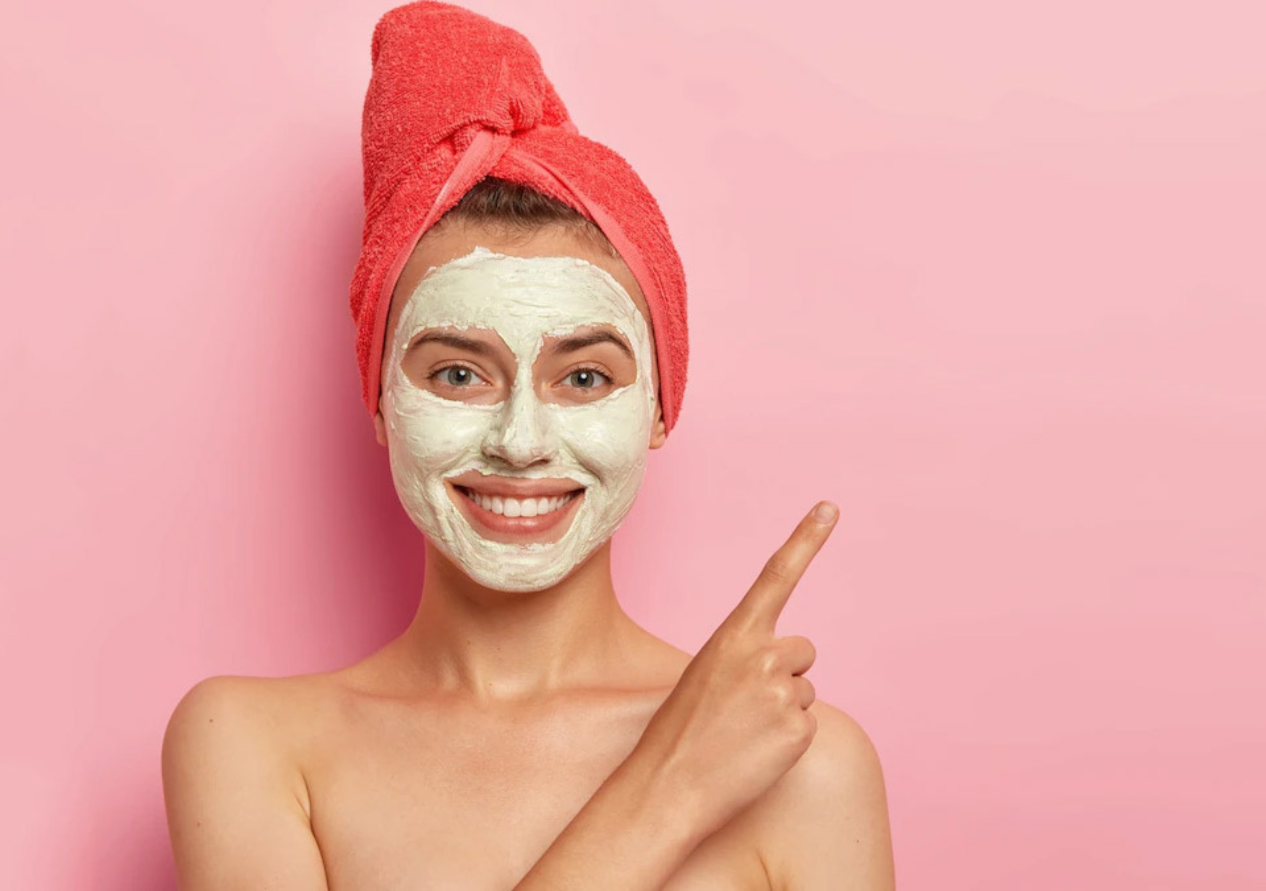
<point>737,722</point>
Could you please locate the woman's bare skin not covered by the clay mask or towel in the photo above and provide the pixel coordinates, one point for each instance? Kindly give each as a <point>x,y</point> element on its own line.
<point>534,741</point>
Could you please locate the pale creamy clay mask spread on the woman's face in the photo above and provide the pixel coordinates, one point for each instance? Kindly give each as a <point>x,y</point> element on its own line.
<point>601,445</point>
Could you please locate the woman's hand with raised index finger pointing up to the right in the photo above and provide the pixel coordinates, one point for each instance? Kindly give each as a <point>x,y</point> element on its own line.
<point>739,718</point>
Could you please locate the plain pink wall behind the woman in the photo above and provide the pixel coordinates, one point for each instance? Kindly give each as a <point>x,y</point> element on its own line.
<point>991,278</point>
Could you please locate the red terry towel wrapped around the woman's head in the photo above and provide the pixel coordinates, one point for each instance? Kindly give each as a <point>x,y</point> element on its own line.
<point>456,97</point>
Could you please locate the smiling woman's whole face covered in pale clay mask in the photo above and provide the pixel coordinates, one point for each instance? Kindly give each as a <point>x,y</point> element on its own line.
<point>518,401</point>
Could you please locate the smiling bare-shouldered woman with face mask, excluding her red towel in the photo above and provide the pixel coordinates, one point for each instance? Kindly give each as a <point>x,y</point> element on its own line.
<point>523,732</point>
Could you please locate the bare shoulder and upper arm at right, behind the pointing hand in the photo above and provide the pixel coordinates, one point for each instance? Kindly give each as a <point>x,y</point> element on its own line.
<point>829,823</point>
